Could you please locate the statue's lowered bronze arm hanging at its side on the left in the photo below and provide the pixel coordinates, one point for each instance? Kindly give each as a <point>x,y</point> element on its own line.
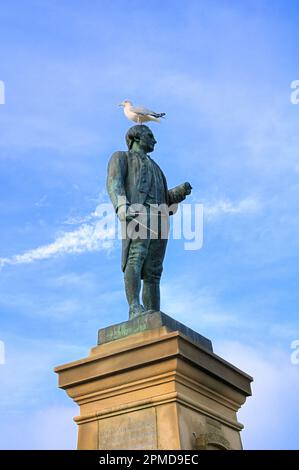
<point>117,171</point>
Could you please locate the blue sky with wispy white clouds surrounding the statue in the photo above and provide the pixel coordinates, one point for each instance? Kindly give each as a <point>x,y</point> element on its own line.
<point>221,70</point>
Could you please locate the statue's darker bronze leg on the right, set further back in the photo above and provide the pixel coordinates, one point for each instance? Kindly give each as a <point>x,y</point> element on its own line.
<point>151,274</point>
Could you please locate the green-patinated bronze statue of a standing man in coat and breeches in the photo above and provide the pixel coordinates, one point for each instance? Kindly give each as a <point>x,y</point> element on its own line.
<point>135,180</point>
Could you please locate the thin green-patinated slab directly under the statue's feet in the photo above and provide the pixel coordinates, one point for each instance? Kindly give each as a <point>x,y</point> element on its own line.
<point>150,321</point>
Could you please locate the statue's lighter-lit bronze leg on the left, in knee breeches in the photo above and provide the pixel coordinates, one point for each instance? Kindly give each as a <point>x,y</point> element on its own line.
<point>137,254</point>
